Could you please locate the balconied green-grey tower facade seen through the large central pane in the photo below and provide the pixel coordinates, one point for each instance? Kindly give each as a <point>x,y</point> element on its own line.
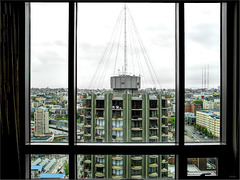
<point>125,118</point>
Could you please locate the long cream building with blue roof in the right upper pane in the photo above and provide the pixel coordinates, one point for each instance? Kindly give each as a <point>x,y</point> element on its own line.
<point>209,120</point>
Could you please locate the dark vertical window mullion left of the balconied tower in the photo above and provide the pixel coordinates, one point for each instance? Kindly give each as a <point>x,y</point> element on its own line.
<point>72,65</point>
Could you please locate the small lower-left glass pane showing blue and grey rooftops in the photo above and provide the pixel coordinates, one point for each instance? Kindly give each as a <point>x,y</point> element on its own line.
<point>49,166</point>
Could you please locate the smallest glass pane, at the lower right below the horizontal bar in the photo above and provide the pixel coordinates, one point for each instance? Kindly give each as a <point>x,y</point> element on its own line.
<point>202,167</point>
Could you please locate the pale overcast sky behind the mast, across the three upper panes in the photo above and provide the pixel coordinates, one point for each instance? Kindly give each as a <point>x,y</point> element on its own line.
<point>96,22</point>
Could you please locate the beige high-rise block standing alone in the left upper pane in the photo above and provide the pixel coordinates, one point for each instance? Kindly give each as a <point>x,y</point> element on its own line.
<point>41,122</point>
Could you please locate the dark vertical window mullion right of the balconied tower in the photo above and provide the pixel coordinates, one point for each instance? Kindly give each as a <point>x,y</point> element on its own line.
<point>180,85</point>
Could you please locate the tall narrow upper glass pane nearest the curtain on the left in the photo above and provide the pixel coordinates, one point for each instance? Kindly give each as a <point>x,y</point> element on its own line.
<point>49,62</point>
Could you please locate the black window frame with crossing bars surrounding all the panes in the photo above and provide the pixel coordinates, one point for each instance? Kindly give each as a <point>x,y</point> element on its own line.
<point>229,102</point>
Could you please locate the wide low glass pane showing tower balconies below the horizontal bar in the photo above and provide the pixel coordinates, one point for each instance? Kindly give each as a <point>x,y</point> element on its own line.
<point>126,166</point>
